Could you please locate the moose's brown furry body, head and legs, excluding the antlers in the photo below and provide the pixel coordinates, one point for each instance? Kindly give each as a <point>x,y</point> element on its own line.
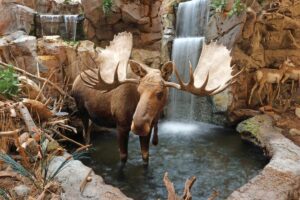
<point>128,107</point>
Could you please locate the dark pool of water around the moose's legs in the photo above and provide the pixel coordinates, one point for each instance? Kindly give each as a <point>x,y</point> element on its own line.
<point>216,156</point>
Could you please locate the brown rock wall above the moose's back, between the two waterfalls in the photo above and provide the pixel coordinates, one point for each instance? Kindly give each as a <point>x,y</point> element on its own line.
<point>137,16</point>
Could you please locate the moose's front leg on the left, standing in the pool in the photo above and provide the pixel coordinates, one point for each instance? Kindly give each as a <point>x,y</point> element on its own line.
<point>123,136</point>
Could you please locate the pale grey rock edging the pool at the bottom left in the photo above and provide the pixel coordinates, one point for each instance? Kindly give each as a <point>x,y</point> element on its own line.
<point>96,189</point>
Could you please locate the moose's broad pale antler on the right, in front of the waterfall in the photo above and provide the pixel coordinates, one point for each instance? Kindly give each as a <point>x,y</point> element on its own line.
<point>213,67</point>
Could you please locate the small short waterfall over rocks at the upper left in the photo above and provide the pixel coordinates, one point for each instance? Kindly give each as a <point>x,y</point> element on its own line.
<point>64,25</point>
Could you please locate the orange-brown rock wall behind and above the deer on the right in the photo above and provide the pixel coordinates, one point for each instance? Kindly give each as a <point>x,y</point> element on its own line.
<point>264,36</point>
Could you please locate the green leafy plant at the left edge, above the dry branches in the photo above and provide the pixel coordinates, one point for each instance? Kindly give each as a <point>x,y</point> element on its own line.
<point>8,82</point>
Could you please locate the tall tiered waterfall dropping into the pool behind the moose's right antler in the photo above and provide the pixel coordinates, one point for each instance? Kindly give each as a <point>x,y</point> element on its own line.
<point>192,17</point>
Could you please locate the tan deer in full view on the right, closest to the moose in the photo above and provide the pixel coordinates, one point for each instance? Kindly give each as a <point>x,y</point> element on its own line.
<point>269,76</point>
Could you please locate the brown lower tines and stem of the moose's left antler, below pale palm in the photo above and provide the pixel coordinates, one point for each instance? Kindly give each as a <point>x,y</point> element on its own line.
<point>100,84</point>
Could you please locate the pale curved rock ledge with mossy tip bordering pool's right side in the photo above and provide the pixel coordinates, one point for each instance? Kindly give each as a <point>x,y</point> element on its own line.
<point>280,179</point>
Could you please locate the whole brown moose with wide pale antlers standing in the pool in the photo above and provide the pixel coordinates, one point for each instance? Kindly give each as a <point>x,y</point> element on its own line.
<point>131,96</point>
